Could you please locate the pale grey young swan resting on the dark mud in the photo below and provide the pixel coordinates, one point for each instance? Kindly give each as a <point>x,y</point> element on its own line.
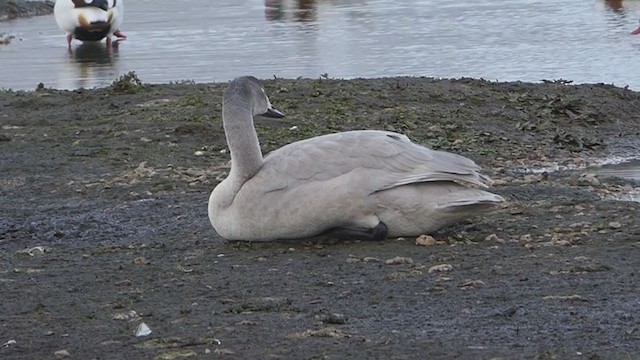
<point>362,184</point>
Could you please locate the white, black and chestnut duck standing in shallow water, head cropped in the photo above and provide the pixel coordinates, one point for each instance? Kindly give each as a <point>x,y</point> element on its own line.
<point>90,20</point>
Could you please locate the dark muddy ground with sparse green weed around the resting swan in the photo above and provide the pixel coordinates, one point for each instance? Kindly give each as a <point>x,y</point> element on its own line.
<point>103,226</point>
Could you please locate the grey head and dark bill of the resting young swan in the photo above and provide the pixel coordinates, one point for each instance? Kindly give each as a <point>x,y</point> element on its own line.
<point>248,91</point>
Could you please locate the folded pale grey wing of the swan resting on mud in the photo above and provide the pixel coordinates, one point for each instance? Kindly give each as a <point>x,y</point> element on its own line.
<point>378,160</point>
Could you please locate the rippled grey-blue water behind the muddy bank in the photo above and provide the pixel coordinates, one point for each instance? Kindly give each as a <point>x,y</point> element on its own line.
<point>207,40</point>
